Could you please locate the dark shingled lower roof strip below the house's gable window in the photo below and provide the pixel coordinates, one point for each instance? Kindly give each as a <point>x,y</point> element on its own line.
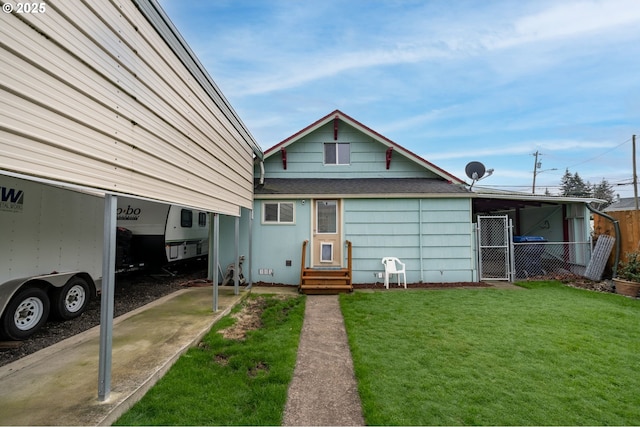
<point>398,187</point>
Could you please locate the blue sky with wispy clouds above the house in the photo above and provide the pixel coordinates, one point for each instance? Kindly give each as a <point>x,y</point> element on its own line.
<point>452,81</point>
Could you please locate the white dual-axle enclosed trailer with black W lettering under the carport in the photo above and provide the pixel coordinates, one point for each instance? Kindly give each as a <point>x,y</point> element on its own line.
<point>50,256</point>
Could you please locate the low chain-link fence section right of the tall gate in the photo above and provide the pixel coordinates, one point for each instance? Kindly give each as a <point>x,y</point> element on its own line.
<point>547,260</point>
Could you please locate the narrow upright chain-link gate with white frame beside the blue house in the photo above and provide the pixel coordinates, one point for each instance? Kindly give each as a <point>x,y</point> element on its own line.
<point>495,248</point>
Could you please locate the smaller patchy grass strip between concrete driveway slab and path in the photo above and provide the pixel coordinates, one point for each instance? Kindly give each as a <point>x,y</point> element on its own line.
<point>229,381</point>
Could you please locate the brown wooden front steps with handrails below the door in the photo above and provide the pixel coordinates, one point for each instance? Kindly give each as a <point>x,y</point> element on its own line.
<point>325,281</point>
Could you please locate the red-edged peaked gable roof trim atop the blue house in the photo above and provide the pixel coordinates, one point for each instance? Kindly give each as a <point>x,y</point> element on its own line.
<point>371,133</point>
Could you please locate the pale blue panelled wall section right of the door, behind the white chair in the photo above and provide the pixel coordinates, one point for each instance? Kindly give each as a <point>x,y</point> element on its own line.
<point>439,251</point>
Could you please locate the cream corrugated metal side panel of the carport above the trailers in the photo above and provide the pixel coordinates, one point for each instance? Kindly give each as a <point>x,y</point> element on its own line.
<point>106,94</point>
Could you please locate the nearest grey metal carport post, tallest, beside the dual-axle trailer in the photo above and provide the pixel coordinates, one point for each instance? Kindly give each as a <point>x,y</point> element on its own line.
<point>106,303</point>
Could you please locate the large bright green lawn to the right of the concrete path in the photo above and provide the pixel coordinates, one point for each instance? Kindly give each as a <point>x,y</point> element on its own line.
<point>547,355</point>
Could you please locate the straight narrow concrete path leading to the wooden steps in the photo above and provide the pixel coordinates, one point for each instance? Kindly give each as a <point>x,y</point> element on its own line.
<point>323,390</point>
